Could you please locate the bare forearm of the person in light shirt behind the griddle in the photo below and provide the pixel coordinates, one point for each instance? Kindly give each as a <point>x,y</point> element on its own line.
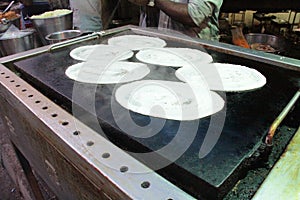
<point>177,11</point>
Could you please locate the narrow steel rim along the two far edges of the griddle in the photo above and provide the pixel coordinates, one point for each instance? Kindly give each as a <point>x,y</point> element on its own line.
<point>268,58</point>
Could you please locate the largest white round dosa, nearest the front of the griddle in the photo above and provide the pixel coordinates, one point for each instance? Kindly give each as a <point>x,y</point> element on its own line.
<point>168,100</point>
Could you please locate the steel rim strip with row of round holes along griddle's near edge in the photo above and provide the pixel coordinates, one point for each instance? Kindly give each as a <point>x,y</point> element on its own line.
<point>90,146</point>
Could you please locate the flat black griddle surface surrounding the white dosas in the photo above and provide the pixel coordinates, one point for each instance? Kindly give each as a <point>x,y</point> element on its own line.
<point>248,116</point>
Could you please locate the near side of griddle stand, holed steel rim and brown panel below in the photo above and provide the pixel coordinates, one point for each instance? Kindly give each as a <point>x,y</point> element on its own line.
<point>67,153</point>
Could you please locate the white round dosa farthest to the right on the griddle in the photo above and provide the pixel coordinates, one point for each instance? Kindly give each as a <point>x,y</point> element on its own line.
<point>223,76</point>
